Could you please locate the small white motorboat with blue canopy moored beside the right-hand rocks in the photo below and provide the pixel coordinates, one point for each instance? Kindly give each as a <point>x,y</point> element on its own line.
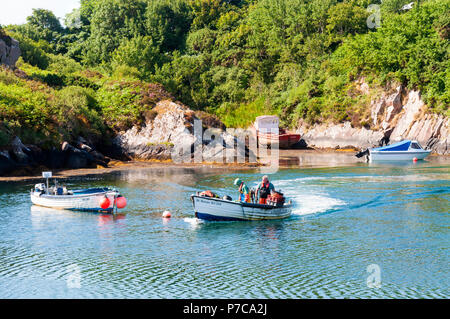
<point>406,150</point>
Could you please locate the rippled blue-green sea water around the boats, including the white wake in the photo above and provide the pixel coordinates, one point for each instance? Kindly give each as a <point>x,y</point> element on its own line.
<point>393,217</point>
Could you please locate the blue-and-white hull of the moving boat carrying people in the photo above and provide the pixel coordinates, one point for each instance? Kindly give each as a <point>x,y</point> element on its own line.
<point>224,209</point>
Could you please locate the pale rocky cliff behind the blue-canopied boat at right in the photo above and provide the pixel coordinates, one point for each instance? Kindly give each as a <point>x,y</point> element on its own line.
<point>394,117</point>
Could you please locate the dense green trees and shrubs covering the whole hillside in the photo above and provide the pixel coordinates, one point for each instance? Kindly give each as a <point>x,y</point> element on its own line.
<point>299,59</point>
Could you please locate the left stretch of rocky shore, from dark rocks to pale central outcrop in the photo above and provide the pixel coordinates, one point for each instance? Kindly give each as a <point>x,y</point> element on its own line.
<point>159,138</point>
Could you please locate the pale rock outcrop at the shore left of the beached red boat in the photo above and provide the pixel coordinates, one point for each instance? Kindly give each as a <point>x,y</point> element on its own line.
<point>172,130</point>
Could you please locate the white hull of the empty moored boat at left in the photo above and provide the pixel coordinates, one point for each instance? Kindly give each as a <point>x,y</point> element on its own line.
<point>82,202</point>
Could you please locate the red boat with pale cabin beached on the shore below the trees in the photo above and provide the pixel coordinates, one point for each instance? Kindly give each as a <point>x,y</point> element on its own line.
<point>268,132</point>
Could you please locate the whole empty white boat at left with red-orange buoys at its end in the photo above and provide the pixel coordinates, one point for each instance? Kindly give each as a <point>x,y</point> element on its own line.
<point>105,200</point>
